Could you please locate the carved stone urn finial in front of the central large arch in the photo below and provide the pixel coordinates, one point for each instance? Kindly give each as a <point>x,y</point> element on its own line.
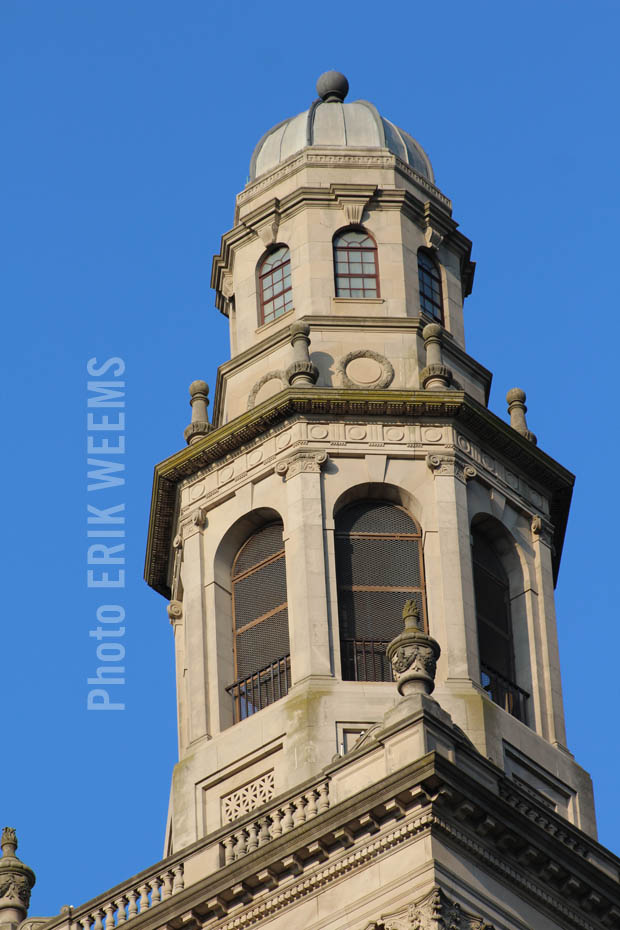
<point>413,654</point>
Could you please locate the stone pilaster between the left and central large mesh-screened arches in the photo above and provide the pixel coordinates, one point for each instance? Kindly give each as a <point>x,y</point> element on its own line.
<point>305,566</point>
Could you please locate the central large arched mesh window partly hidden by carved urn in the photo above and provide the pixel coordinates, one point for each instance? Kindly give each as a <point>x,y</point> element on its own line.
<point>378,567</point>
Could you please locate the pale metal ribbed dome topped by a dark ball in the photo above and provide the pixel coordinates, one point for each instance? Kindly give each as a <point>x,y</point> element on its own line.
<point>331,122</point>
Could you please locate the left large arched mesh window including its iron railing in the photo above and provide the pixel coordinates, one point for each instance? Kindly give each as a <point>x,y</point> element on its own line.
<point>261,647</point>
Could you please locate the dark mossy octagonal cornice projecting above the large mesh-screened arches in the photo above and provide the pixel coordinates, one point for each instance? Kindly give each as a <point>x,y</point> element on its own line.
<point>451,405</point>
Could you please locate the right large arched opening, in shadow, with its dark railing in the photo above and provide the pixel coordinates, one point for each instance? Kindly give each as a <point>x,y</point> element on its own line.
<point>495,643</point>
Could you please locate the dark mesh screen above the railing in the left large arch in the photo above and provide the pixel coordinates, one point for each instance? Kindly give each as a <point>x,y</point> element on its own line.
<point>260,614</point>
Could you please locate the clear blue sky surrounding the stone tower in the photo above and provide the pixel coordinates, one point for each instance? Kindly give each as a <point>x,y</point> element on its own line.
<point>129,126</point>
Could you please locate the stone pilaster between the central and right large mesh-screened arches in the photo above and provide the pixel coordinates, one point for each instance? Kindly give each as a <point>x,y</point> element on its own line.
<point>459,636</point>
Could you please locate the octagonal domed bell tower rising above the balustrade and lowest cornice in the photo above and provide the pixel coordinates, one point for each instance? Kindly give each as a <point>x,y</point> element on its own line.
<point>352,471</point>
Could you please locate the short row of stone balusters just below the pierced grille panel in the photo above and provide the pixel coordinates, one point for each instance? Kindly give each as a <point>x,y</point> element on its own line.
<point>275,822</point>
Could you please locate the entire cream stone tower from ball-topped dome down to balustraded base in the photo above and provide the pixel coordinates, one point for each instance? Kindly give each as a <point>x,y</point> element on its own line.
<point>360,562</point>
